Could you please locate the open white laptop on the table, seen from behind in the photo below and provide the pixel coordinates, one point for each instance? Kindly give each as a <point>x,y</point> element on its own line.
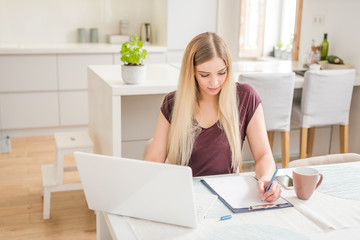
<point>135,188</point>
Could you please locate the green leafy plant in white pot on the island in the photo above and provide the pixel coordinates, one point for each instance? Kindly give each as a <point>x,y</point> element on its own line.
<point>133,56</point>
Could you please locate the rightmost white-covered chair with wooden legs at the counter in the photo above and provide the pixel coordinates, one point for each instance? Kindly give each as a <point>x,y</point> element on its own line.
<point>325,100</point>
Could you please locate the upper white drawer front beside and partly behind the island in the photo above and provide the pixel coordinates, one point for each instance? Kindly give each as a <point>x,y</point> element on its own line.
<point>73,68</point>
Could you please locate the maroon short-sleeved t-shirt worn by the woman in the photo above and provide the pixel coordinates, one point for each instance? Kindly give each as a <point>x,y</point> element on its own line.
<point>211,152</point>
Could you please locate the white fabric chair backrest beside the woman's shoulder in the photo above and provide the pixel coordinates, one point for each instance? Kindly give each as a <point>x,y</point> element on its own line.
<point>276,91</point>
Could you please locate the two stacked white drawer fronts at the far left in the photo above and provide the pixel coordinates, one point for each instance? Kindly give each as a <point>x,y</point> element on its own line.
<point>28,97</point>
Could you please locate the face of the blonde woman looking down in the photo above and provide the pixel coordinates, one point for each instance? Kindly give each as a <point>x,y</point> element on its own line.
<point>211,76</point>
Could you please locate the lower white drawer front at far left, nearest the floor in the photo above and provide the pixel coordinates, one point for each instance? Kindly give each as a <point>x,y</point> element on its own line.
<point>29,110</point>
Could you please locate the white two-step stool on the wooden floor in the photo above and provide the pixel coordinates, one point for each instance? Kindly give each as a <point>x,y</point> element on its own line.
<point>53,174</point>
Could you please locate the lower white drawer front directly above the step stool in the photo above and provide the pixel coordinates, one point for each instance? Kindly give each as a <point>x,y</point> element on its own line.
<point>73,108</point>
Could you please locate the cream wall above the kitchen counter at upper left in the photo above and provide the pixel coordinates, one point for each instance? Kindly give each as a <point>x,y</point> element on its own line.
<point>56,21</point>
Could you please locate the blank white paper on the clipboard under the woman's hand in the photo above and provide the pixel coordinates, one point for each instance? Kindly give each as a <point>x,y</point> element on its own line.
<point>238,191</point>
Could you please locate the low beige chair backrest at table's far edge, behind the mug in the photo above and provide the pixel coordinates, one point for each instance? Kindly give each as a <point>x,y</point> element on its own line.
<point>327,159</point>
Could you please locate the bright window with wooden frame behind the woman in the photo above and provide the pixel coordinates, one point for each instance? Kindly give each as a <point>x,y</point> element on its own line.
<point>265,24</point>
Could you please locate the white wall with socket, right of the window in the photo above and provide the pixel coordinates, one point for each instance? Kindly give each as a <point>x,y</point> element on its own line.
<point>341,22</point>
